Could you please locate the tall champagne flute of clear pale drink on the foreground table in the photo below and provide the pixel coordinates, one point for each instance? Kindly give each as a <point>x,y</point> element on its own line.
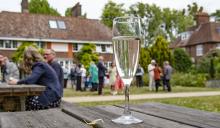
<point>126,46</point>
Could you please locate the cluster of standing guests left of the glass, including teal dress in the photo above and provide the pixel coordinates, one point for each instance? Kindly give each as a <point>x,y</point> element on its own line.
<point>96,77</point>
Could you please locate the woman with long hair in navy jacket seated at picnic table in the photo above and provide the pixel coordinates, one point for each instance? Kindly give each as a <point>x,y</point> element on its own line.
<point>43,74</point>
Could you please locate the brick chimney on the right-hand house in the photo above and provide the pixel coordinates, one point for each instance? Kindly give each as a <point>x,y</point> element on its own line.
<point>201,17</point>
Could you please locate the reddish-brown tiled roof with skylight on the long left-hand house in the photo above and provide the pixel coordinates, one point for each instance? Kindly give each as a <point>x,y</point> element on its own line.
<point>25,25</point>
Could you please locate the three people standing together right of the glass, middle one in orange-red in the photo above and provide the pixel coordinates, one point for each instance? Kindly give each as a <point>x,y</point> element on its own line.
<point>156,74</point>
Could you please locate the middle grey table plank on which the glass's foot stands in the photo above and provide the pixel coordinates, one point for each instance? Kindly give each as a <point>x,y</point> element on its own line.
<point>107,113</point>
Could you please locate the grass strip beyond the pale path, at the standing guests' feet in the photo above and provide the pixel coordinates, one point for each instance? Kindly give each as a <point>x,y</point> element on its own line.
<point>69,92</point>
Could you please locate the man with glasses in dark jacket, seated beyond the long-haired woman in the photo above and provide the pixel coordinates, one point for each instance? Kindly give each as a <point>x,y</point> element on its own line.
<point>49,56</point>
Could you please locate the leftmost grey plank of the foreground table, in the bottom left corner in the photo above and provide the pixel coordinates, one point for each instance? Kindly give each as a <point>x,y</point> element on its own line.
<point>52,118</point>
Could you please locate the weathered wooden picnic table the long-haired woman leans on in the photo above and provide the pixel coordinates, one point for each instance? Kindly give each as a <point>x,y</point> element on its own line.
<point>13,96</point>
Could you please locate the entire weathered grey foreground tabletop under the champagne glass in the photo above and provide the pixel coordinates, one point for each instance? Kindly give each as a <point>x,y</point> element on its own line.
<point>154,115</point>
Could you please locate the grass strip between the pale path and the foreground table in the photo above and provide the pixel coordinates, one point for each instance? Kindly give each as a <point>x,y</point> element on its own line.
<point>207,103</point>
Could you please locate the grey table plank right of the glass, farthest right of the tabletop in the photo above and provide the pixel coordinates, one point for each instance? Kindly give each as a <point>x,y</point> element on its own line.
<point>182,115</point>
